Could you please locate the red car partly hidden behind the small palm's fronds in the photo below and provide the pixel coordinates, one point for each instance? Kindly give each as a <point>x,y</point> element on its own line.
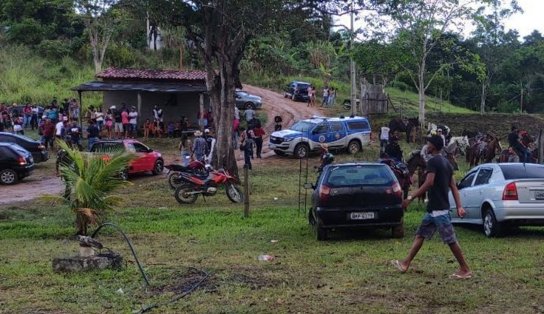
<point>146,160</point>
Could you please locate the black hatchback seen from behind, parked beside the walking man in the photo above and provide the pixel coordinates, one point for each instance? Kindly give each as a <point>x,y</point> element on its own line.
<point>356,195</point>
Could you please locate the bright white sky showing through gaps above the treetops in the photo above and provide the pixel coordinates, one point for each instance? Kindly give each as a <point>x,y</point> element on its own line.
<point>525,22</point>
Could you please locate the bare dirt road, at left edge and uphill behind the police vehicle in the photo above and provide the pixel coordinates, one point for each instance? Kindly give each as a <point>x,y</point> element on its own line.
<point>43,181</point>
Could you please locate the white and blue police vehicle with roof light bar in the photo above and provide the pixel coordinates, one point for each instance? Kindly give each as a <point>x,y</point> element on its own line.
<point>305,136</point>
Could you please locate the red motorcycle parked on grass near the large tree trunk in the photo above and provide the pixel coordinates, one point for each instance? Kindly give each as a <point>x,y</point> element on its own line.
<point>194,184</point>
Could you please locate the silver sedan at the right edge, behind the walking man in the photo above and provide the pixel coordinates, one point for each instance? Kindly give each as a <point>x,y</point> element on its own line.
<point>498,196</point>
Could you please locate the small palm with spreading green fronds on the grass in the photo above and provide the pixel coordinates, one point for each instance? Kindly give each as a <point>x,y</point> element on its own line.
<point>90,180</point>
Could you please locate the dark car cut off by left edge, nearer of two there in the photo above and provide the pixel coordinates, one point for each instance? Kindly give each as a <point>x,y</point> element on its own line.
<point>15,163</point>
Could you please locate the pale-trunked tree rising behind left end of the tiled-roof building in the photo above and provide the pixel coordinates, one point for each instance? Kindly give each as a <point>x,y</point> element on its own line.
<point>100,18</point>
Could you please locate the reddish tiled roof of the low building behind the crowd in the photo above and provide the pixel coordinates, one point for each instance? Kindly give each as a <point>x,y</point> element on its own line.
<point>113,73</point>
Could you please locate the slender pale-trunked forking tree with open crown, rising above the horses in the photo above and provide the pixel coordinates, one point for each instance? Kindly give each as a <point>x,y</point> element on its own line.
<point>421,25</point>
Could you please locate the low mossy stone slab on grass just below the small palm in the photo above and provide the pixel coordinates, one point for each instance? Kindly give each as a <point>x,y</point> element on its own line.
<point>79,263</point>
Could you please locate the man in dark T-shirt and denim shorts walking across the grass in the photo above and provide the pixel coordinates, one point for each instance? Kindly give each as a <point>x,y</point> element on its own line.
<point>439,179</point>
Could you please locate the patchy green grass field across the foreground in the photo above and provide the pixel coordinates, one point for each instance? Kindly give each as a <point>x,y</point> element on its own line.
<point>349,273</point>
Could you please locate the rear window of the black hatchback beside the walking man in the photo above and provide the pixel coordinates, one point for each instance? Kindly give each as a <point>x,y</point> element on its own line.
<point>369,175</point>
